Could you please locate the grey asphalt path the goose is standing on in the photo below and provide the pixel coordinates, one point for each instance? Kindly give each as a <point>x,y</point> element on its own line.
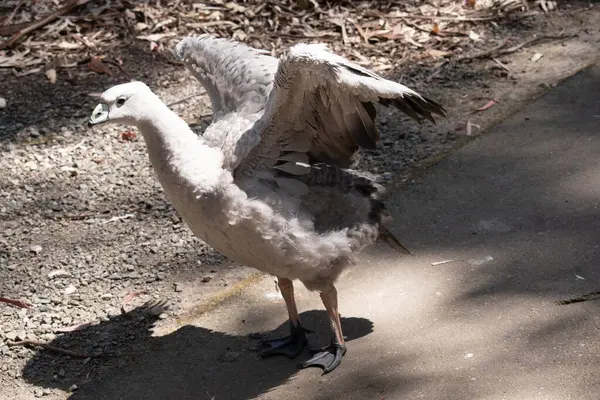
<point>516,211</point>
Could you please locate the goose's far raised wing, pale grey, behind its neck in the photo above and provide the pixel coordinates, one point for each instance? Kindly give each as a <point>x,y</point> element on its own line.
<point>237,78</point>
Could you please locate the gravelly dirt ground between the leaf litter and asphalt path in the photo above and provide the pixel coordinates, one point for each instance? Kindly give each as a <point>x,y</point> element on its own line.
<point>84,222</point>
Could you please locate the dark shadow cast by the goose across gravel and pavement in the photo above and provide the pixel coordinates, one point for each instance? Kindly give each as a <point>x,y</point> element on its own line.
<point>190,363</point>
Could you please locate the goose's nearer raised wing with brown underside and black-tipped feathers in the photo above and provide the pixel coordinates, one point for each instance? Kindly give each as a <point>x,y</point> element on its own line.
<point>321,110</point>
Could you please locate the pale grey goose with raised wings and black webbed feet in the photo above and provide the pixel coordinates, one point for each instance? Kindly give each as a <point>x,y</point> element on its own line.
<point>273,182</point>
